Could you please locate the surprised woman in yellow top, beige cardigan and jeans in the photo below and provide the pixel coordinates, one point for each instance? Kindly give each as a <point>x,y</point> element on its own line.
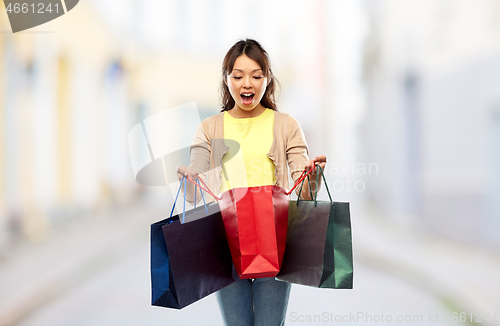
<point>265,144</point>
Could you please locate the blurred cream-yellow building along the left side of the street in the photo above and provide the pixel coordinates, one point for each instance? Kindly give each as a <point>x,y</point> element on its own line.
<point>63,104</point>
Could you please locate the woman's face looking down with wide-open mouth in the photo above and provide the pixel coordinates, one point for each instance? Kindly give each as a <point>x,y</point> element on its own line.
<point>246,78</point>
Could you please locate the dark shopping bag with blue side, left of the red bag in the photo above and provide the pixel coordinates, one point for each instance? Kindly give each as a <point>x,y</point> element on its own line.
<point>189,261</point>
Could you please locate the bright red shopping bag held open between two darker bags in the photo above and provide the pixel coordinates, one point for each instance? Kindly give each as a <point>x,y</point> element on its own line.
<point>255,220</point>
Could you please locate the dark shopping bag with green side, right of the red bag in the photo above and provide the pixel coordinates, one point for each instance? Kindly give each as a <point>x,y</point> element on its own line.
<point>319,244</point>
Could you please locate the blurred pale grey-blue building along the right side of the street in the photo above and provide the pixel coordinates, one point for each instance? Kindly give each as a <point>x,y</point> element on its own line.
<point>432,73</point>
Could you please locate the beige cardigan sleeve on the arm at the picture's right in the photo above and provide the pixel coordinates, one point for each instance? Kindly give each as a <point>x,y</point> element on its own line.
<point>297,151</point>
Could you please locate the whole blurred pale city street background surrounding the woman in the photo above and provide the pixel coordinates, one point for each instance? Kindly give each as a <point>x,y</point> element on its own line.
<point>402,96</point>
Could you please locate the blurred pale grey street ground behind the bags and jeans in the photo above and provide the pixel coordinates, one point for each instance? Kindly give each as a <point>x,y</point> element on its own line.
<point>106,282</point>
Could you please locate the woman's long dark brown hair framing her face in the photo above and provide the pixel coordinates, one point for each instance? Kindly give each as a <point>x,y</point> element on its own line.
<point>254,51</point>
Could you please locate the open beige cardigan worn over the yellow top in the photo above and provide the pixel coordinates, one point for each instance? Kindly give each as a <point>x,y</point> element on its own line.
<point>288,150</point>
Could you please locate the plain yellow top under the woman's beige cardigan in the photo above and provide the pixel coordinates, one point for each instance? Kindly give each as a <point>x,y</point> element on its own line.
<point>248,165</point>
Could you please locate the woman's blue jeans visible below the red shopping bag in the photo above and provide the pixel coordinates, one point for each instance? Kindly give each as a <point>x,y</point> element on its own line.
<point>261,302</point>
